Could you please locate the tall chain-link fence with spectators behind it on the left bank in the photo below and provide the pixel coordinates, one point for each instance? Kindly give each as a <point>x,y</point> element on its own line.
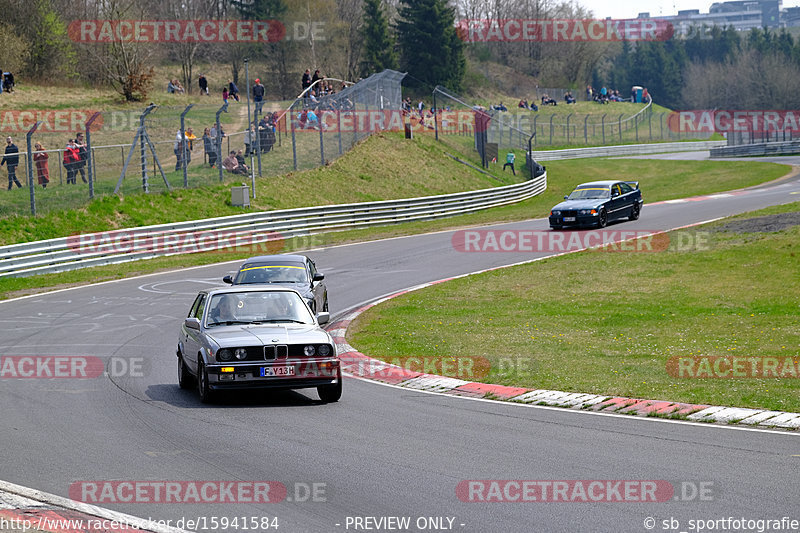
<point>145,151</point>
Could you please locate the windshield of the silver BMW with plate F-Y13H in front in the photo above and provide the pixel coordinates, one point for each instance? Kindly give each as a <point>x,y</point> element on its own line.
<point>257,308</point>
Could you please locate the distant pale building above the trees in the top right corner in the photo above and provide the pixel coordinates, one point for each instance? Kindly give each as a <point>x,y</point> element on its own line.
<point>742,15</point>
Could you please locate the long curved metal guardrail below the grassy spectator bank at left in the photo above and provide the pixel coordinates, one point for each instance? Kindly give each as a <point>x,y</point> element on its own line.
<point>106,248</point>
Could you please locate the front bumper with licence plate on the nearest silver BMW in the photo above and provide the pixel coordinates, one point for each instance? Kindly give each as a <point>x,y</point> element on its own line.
<point>305,373</point>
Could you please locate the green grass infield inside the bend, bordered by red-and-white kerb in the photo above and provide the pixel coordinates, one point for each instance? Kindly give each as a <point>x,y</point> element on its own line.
<point>607,323</point>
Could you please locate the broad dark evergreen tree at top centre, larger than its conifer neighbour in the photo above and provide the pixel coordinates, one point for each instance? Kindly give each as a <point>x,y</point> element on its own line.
<point>431,50</point>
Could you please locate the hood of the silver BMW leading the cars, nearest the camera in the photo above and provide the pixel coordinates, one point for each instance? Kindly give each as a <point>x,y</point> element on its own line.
<point>230,336</point>
